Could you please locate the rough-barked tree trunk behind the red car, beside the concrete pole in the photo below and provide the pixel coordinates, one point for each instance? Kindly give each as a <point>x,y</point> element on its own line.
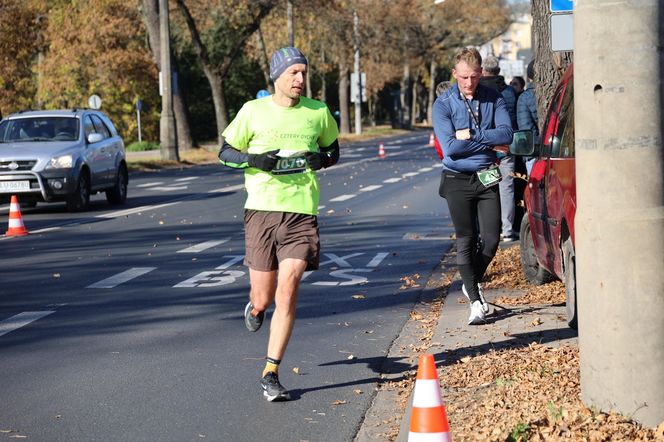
<point>549,65</point>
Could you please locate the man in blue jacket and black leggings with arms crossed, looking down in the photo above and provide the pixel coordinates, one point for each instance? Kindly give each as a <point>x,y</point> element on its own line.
<point>472,123</point>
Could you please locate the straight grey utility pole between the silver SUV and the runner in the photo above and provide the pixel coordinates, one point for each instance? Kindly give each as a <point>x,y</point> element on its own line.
<point>168,140</point>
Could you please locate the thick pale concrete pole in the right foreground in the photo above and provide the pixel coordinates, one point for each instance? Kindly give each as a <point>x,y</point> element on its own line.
<point>620,214</point>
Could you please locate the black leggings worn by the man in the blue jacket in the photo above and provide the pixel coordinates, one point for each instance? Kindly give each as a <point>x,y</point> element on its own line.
<point>472,206</point>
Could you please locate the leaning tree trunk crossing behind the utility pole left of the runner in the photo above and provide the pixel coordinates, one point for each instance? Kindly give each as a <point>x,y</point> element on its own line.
<point>180,110</point>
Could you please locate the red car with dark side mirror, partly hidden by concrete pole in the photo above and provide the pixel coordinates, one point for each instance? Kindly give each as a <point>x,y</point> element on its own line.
<point>547,232</point>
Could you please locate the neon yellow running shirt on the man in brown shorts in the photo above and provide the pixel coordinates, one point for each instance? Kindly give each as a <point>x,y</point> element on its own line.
<point>262,126</point>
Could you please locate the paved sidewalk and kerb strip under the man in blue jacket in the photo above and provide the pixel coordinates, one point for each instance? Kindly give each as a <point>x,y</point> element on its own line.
<point>452,339</point>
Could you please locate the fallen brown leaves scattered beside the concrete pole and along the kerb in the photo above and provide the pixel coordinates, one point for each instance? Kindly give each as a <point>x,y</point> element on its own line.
<point>522,394</point>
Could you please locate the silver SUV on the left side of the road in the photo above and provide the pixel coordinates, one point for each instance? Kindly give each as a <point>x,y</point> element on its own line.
<point>61,155</point>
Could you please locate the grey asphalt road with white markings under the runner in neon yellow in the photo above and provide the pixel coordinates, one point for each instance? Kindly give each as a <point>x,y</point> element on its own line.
<point>125,323</point>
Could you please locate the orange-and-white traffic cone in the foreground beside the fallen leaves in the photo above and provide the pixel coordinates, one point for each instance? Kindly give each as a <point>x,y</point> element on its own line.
<point>428,421</point>
